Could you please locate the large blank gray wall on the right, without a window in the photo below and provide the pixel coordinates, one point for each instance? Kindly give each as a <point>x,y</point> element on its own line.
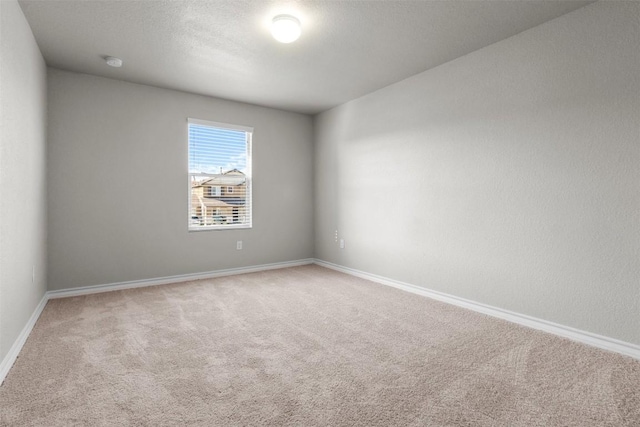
<point>508,176</point>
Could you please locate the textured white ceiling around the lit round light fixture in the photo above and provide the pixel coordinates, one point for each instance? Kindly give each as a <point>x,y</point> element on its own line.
<point>223,48</point>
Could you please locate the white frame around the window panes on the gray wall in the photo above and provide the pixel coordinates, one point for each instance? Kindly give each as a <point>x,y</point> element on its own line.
<point>248,178</point>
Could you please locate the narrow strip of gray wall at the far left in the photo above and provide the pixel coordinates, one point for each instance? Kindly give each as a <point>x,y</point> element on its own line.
<point>23,210</point>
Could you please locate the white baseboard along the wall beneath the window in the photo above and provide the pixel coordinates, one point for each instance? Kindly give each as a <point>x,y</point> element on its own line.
<point>86,290</point>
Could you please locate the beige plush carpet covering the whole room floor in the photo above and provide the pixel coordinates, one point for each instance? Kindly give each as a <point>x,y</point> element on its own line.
<point>304,346</point>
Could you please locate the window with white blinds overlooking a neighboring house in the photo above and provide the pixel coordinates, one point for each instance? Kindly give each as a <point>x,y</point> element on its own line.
<point>219,158</point>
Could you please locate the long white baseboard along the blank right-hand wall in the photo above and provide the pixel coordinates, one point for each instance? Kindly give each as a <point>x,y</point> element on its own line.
<point>574,334</point>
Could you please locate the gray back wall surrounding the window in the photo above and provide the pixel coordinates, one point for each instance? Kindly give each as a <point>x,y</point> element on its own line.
<point>117,184</point>
